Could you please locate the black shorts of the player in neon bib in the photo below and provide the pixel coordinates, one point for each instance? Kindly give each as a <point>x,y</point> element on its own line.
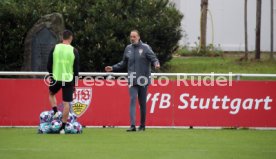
<point>67,89</point>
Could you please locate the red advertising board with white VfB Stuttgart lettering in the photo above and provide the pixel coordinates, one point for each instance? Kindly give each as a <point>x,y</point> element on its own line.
<point>241,104</point>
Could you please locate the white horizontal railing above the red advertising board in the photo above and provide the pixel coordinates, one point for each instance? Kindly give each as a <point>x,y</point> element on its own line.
<point>233,75</point>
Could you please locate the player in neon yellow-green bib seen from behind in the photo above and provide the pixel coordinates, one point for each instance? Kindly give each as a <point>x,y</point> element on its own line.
<point>63,66</point>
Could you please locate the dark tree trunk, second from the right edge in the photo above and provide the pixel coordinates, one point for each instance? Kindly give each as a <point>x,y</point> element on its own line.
<point>258,29</point>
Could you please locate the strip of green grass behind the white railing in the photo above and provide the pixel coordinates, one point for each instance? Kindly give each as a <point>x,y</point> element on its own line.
<point>220,65</point>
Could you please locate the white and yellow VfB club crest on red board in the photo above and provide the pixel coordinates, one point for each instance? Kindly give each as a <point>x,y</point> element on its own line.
<point>81,100</point>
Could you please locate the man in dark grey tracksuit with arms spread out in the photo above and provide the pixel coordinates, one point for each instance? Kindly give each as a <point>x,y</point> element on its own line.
<point>138,58</point>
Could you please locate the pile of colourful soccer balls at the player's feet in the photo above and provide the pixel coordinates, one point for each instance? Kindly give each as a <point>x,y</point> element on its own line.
<point>51,123</point>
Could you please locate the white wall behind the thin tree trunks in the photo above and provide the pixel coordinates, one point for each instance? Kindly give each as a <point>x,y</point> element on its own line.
<point>228,19</point>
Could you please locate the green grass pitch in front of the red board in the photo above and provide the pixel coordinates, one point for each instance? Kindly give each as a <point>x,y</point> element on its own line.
<point>24,143</point>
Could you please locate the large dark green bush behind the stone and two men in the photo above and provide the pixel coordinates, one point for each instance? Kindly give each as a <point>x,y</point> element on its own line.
<point>101,28</point>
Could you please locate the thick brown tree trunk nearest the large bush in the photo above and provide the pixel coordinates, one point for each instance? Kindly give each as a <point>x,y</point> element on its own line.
<point>203,24</point>
